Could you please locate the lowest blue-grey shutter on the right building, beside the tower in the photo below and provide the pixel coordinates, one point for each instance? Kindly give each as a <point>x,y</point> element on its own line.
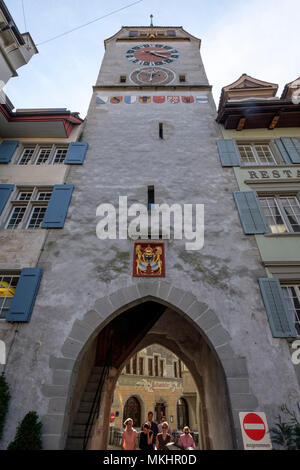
<point>280,320</point>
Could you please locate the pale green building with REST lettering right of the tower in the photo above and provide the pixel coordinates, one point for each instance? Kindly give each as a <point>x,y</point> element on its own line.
<point>262,144</point>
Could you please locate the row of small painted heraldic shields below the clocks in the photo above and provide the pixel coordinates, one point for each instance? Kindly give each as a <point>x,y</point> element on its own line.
<point>149,99</point>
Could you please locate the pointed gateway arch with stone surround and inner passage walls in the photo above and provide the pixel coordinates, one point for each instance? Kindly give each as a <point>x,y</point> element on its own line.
<point>128,320</point>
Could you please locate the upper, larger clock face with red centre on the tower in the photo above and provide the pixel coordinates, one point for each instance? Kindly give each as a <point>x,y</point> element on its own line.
<point>152,54</point>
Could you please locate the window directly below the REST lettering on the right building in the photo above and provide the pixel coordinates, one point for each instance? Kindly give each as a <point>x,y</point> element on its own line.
<point>282,214</point>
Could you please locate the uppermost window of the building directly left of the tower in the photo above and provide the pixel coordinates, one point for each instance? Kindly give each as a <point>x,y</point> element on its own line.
<point>42,155</point>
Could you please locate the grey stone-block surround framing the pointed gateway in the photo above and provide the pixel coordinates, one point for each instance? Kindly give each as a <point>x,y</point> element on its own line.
<point>84,331</point>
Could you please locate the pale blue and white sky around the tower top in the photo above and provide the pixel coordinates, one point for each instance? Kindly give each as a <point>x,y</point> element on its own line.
<point>257,37</point>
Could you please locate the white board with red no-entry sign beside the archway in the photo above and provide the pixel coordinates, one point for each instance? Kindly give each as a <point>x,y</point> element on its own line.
<point>255,431</point>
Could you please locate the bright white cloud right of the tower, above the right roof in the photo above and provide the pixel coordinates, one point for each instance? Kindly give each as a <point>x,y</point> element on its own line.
<point>260,38</point>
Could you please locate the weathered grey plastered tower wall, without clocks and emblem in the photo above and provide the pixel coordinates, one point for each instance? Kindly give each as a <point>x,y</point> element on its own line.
<point>215,319</point>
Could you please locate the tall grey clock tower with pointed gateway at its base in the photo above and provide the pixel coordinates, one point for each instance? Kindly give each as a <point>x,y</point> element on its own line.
<point>152,136</point>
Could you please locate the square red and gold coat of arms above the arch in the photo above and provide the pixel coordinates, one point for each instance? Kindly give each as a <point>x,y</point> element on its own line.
<point>149,260</point>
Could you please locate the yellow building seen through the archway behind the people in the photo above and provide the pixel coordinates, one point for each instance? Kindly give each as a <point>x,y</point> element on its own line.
<point>155,380</point>
